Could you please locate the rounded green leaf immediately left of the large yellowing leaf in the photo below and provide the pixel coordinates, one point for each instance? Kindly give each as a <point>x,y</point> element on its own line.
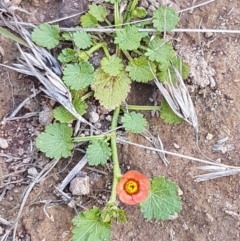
<point>78,76</point>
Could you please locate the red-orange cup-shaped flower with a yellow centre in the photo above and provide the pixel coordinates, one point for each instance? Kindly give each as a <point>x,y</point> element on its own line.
<point>133,188</point>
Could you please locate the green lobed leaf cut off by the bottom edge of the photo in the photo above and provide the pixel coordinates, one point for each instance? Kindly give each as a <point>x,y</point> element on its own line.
<point>88,226</point>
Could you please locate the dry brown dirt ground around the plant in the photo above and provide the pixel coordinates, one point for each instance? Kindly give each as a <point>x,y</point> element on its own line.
<point>210,210</point>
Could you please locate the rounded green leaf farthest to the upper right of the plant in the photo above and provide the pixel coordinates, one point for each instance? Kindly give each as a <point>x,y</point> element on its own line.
<point>165,19</point>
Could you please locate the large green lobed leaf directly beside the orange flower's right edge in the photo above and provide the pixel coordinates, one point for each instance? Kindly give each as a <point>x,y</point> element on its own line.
<point>162,201</point>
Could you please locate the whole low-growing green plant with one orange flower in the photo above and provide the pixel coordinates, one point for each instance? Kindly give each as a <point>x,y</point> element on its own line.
<point>138,56</point>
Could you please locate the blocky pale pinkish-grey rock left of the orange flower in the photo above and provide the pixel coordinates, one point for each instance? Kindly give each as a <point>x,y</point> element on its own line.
<point>80,186</point>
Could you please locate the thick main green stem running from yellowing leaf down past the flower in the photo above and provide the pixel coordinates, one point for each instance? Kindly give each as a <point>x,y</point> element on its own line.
<point>116,168</point>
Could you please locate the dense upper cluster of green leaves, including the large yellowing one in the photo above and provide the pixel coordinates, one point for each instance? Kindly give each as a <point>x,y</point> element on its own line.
<point>111,81</point>
